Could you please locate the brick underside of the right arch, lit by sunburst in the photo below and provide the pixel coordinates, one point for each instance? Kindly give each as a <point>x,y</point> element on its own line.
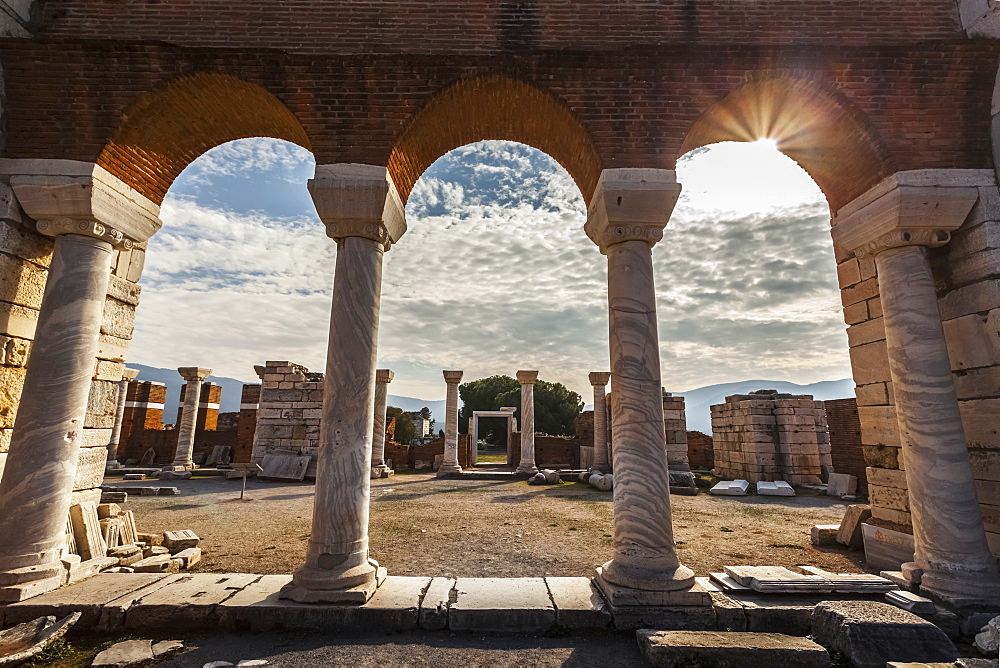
<point>813,124</point>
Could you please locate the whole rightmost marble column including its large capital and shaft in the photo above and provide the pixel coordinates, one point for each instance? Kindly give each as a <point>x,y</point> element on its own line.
<point>896,222</point>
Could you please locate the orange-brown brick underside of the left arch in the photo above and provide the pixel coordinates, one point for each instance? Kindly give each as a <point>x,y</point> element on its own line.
<point>166,129</point>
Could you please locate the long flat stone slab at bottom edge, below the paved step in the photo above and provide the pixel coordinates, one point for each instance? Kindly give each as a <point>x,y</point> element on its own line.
<point>681,649</point>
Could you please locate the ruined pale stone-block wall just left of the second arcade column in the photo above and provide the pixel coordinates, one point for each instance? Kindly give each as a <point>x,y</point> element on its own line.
<point>291,404</point>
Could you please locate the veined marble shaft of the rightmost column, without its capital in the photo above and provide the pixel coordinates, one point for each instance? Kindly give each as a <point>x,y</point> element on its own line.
<point>949,538</point>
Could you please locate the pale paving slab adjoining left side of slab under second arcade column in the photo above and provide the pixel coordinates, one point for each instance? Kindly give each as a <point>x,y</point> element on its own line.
<point>187,602</point>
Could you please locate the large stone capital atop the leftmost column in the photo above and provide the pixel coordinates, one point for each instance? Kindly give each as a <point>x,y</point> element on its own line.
<point>73,197</point>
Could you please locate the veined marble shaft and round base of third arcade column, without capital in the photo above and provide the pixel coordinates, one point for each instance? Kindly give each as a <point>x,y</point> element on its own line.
<point>644,556</point>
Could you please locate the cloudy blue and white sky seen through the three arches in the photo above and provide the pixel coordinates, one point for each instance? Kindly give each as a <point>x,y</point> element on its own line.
<point>495,273</point>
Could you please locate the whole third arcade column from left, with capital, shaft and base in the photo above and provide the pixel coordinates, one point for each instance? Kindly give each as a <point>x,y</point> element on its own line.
<point>626,217</point>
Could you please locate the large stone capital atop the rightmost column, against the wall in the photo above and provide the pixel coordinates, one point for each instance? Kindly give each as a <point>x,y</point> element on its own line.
<point>911,208</point>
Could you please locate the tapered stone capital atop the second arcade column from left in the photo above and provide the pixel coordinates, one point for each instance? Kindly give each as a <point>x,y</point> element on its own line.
<point>356,200</point>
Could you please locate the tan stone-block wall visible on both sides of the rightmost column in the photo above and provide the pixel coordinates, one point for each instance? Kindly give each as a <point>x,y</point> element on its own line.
<point>967,271</point>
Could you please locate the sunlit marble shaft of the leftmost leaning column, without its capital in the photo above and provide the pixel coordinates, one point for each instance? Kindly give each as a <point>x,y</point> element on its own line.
<point>39,474</point>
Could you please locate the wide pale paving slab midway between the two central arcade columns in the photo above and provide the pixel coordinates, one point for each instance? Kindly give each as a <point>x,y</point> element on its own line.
<point>501,604</point>
